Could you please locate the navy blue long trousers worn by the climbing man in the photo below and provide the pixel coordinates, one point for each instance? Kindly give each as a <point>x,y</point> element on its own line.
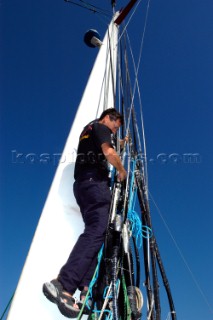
<point>93,197</point>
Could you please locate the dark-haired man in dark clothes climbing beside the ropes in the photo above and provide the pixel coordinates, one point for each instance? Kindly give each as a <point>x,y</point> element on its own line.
<point>92,193</point>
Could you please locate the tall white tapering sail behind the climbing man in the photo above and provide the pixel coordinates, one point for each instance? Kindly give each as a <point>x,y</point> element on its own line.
<point>60,223</point>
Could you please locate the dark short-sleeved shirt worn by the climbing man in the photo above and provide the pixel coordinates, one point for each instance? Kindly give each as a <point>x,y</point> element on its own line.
<point>90,157</point>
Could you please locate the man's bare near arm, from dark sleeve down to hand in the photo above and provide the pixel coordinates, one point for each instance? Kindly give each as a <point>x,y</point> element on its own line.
<point>114,159</point>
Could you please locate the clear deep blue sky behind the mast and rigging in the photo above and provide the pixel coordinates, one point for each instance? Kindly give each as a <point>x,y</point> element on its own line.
<point>44,66</point>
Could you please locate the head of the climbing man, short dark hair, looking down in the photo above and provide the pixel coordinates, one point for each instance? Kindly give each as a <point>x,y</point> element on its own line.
<point>112,119</point>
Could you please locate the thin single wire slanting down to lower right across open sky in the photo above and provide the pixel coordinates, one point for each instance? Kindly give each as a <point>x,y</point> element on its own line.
<point>181,255</point>
